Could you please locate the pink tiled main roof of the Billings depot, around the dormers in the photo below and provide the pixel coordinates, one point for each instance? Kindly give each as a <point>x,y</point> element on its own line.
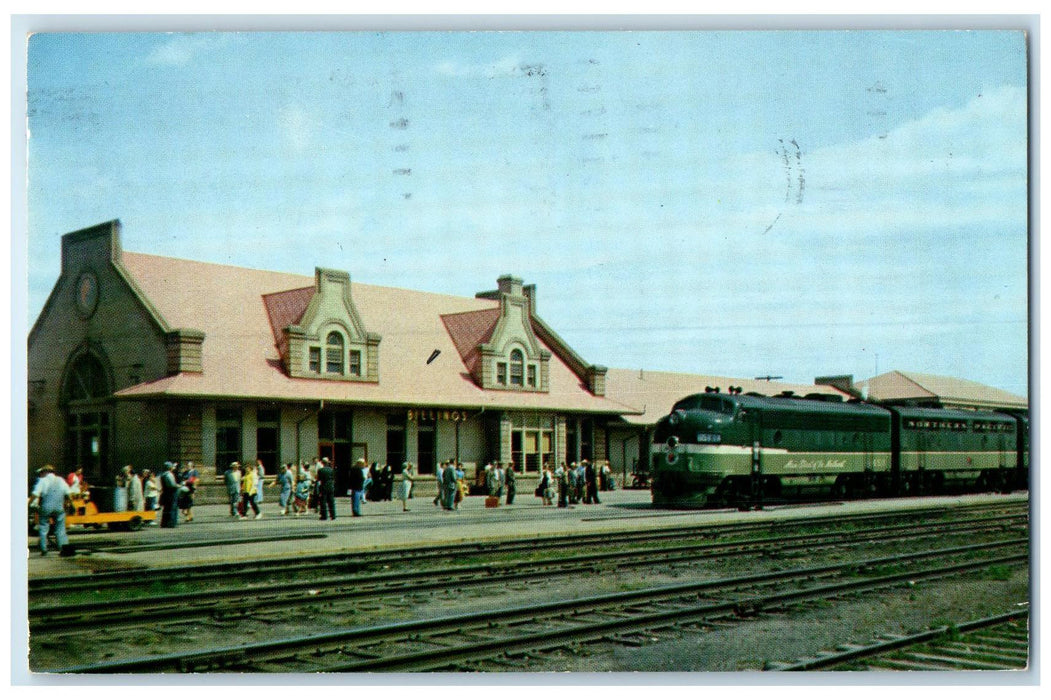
<point>240,357</point>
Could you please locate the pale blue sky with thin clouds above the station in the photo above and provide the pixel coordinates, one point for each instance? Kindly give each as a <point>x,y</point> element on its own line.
<point>794,204</point>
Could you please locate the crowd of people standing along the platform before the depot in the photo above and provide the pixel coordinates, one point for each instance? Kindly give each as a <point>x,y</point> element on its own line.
<point>307,488</point>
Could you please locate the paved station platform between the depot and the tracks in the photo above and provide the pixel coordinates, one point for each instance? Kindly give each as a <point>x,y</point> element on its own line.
<point>215,537</point>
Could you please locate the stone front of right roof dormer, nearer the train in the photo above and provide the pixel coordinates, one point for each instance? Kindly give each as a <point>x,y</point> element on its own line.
<point>512,359</point>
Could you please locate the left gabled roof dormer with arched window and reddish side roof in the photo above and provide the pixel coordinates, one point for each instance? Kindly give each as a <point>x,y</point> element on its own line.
<point>327,341</point>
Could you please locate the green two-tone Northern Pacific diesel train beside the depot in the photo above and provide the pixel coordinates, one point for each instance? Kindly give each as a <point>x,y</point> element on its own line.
<point>728,449</point>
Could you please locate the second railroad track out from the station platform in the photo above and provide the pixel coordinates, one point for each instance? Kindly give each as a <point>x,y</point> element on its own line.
<point>235,601</point>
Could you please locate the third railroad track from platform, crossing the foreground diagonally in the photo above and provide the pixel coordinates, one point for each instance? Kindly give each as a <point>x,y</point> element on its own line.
<point>462,643</point>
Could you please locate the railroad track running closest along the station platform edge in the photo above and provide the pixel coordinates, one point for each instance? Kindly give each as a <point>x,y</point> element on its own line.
<point>137,579</point>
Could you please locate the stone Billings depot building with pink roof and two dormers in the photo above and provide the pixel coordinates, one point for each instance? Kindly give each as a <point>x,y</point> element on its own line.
<point>139,359</point>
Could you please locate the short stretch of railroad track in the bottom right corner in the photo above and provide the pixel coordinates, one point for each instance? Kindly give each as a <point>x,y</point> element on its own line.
<point>994,644</point>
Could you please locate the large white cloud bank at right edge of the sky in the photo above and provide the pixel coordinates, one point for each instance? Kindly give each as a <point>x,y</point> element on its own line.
<point>964,167</point>
